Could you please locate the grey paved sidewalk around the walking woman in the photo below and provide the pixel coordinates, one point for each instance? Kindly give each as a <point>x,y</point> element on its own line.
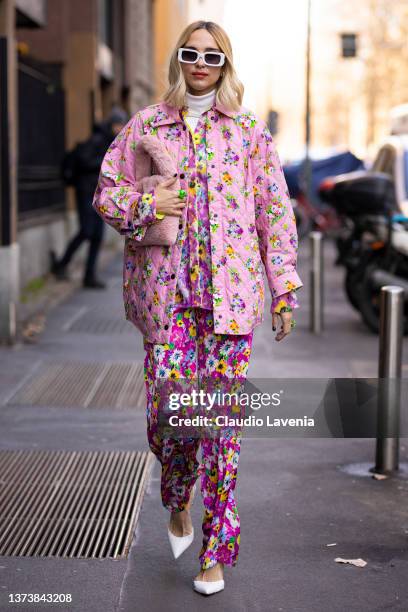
<point>293,495</point>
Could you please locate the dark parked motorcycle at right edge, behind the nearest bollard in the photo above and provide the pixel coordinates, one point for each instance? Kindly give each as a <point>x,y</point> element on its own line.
<point>373,242</point>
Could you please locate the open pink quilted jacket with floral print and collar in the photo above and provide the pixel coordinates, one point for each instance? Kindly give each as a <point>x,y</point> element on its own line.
<point>251,218</point>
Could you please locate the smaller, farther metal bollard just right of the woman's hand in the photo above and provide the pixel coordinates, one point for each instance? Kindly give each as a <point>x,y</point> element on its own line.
<point>316,282</point>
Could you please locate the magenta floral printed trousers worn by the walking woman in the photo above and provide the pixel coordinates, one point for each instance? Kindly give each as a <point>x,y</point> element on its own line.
<point>194,351</point>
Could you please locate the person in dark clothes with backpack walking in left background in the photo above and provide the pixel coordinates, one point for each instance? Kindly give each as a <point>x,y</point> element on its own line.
<point>80,169</point>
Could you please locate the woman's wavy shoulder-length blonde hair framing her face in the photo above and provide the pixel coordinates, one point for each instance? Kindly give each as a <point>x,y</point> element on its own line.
<point>230,90</point>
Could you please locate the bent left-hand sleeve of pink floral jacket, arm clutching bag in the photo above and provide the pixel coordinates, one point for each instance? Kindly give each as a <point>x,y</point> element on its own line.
<point>116,198</point>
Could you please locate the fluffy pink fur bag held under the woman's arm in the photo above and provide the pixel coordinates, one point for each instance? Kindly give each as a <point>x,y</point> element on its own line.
<point>151,156</point>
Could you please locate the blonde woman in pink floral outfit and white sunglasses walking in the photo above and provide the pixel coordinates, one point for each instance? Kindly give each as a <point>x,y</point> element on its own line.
<point>198,301</point>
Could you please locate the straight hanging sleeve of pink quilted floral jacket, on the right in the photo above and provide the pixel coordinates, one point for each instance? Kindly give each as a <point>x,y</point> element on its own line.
<point>274,216</point>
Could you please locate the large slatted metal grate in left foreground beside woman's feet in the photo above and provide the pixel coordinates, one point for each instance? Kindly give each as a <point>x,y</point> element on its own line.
<point>70,504</point>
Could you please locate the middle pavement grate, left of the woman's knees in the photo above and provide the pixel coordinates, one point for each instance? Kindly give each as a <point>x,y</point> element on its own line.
<point>89,385</point>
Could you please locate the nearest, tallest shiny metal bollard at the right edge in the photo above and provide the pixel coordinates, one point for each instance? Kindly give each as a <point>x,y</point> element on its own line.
<point>389,379</point>
